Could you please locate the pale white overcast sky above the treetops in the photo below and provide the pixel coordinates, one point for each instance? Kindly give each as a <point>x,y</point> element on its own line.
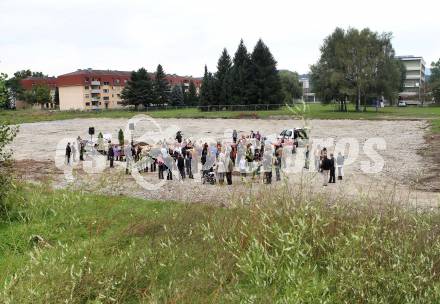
<point>57,37</point>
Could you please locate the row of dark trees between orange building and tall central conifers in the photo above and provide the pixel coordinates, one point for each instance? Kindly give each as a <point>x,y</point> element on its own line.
<point>142,89</point>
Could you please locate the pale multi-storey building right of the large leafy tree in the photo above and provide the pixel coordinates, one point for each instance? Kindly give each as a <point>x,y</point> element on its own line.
<point>415,77</point>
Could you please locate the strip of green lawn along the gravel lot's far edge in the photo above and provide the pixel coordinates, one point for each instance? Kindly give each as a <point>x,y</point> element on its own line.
<point>311,111</point>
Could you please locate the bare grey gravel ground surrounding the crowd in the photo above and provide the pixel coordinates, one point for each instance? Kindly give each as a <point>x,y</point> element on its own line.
<point>403,172</point>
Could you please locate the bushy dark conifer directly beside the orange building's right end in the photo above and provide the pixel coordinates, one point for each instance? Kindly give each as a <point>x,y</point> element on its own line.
<point>139,89</point>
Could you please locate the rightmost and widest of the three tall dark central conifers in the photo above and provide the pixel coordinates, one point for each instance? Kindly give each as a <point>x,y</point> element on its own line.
<point>266,85</point>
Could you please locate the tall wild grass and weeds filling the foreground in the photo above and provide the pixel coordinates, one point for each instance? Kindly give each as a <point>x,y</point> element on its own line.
<point>100,249</point>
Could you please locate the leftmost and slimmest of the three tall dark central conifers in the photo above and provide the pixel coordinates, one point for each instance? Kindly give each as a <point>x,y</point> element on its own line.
<point>222,77</point>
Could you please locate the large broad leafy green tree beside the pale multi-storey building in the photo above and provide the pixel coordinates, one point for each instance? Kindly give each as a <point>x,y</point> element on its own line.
<point>356,64</point>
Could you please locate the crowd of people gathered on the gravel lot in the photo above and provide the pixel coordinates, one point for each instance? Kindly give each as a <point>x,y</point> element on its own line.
<point>244,155</point>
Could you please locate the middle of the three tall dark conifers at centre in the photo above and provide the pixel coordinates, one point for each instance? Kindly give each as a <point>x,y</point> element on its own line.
<point>241,75</point>
